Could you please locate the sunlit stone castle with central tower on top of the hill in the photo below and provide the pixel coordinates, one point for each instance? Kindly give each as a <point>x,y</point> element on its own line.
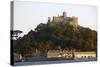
<point>64,19</point>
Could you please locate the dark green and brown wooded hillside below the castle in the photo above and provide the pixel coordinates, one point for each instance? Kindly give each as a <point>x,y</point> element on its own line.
<point>57,36</point>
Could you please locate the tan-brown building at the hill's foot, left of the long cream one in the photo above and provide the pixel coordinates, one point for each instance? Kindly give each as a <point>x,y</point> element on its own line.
<point>65,54</point>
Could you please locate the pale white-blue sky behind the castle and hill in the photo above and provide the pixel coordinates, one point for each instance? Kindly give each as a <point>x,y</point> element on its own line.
<point>28,14</point>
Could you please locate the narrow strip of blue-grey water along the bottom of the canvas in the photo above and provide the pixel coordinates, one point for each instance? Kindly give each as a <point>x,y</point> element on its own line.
<point>51,62</point>
